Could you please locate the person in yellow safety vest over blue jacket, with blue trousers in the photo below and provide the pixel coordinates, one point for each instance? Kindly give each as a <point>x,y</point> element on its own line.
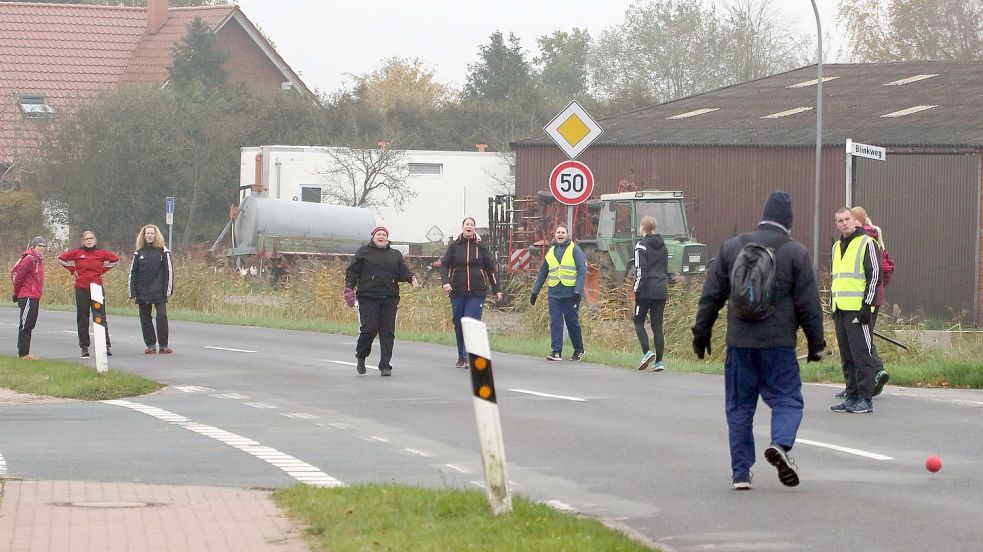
<point>563,271</point>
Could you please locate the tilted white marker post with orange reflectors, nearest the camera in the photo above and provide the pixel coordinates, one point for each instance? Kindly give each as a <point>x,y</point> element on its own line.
<point>486,415</point>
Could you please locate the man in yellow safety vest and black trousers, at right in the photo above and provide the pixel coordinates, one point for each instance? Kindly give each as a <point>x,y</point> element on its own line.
<point>855,273</point>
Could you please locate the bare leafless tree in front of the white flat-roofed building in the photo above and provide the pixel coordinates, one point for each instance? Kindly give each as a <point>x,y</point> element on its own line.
<point>367,178</point>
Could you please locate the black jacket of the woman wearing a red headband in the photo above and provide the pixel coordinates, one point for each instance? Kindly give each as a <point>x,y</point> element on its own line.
<point>376,272</point>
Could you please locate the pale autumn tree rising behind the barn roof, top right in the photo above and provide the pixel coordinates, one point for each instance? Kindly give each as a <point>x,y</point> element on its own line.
<point>909,30</point>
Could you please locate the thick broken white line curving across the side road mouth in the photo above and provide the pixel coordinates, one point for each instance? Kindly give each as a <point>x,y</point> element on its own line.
<point>295,468</point>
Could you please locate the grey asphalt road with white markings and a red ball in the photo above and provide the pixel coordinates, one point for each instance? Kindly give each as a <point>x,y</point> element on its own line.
<point>252,407</point>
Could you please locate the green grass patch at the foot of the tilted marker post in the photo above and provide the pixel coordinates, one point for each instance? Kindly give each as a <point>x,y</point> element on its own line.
<point>389,517</point>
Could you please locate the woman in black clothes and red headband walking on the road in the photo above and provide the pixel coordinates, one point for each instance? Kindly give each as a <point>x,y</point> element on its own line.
<point>373,279</point>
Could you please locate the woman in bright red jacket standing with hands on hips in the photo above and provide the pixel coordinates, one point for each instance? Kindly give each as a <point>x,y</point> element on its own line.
<point>87,263</point>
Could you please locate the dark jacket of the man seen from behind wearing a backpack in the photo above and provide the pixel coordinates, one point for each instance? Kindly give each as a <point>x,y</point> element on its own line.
<point>796,297</point>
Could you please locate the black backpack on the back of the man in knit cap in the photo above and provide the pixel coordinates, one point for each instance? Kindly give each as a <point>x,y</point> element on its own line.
<point>752,282</point>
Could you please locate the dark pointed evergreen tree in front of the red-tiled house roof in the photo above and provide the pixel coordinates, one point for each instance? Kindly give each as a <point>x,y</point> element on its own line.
<point>197,61</point>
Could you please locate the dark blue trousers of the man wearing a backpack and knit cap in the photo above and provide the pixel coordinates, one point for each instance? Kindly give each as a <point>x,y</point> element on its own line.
<point>774,375</point>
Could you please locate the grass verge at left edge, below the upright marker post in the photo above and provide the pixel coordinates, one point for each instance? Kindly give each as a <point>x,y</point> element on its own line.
<point>68,380</point>
